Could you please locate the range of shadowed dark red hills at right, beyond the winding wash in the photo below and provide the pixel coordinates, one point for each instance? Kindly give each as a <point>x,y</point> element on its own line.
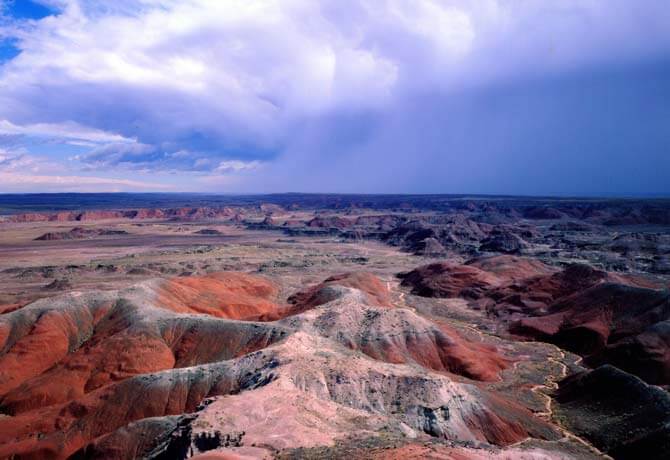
<point>608,318</point>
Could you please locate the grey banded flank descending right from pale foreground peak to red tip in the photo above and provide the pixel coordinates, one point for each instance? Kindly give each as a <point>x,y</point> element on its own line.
<point>428,403</point>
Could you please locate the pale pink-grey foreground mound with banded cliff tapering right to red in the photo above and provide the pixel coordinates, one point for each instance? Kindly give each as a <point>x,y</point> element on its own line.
<point>322,392</point>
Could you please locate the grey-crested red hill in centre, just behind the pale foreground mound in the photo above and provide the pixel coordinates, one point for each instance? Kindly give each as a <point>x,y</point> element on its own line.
<point>393,335</point>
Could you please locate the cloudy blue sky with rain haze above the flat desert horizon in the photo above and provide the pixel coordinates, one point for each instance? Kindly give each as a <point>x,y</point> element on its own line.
<point>529,97</point>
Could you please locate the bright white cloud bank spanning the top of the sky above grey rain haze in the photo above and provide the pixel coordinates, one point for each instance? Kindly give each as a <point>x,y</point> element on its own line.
<point>268,59</point>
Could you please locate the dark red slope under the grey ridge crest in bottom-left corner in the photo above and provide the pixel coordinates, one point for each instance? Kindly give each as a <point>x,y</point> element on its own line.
<point>65,428</point>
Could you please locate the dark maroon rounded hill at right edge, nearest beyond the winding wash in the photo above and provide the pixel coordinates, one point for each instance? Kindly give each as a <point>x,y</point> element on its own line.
<point>611,323</point>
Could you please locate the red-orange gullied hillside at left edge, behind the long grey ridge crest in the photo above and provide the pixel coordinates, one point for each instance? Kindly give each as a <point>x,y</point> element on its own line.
<point>128,338</point>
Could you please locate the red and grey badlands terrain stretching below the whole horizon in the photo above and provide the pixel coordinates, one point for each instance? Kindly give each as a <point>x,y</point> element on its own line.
<point>333,326</point>
